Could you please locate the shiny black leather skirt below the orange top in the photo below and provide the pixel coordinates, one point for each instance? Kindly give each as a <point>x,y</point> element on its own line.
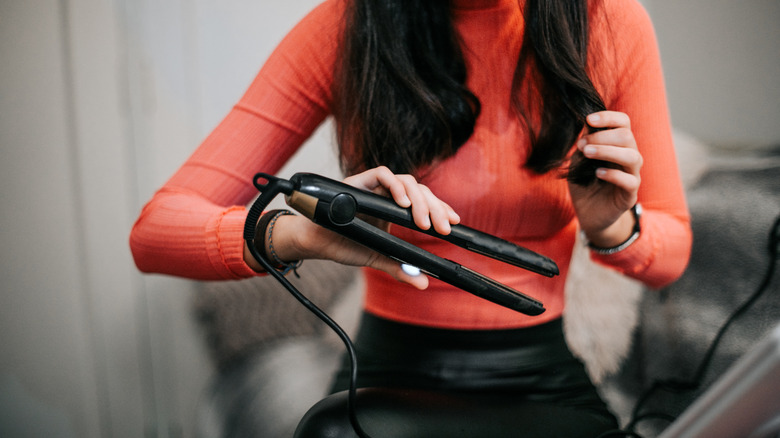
<point>519,382</point>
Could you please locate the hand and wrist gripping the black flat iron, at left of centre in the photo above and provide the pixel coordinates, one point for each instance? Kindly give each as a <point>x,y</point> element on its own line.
<point>297,238</point>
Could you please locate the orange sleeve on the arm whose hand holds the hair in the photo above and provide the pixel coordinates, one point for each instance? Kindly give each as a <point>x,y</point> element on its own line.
<point>661,254</point>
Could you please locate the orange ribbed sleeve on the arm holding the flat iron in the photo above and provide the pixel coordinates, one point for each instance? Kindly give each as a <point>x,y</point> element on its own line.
<point>192,227</point>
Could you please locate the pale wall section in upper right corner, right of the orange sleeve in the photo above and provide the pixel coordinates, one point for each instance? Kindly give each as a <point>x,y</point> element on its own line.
<point>722,67</point>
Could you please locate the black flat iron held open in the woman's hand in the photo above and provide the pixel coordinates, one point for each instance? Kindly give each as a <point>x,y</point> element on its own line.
<point>337,206</point>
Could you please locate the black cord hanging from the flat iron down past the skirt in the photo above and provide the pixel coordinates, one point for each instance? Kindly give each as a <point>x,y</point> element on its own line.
<point>352,394</point>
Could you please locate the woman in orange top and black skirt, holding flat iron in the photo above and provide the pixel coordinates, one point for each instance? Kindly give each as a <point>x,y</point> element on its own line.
<point>478,107</point>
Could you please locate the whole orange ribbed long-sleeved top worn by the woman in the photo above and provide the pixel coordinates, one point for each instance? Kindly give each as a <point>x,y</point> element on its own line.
<point>193,225</point>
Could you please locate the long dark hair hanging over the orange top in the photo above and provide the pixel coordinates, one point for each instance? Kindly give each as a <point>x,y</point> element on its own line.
<point>400,94</point>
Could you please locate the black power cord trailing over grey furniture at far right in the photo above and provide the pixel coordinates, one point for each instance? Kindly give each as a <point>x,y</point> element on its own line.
<point>679,386</point>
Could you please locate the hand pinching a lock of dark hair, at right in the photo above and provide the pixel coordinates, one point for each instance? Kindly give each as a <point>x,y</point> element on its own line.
<point>603,207</point>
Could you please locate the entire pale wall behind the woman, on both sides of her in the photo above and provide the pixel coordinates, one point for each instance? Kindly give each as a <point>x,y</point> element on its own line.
<point>102,99</point>
